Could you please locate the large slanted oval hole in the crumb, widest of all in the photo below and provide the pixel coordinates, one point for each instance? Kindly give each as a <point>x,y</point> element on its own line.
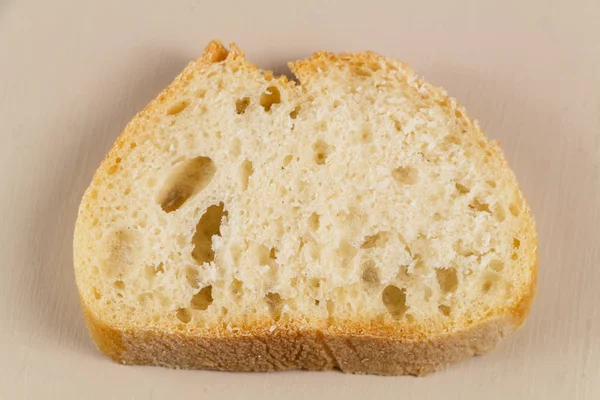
<point>188,179</point>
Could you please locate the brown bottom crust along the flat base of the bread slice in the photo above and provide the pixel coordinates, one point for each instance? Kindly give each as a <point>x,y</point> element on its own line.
<point>309,349</point>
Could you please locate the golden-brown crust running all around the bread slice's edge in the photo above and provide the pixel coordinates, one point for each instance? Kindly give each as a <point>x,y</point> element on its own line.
<point>372,347</point>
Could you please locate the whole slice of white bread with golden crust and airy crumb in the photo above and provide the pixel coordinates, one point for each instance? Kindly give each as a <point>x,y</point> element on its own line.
<point>356,219</point>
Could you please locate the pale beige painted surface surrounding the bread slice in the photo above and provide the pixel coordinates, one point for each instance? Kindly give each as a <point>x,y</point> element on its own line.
<point>72,73</point>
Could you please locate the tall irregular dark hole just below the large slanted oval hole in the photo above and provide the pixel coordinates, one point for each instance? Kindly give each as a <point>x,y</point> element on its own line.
<point>208,226</point>
